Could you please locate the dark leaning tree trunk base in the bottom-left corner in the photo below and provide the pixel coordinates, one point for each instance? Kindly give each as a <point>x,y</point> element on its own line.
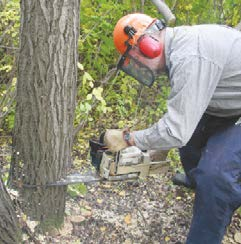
<point>9,229</point>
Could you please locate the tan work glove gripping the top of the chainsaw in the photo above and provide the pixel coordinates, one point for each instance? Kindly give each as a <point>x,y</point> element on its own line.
<point>114,140</point>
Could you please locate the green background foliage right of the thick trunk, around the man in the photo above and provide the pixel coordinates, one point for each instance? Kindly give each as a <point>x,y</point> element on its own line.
<point>123,101</point>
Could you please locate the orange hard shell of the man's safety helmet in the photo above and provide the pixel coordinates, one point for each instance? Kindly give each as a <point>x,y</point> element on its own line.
<point>140,22</point>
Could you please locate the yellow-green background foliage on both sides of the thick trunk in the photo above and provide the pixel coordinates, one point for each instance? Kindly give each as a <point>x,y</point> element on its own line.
<point>104,98</point>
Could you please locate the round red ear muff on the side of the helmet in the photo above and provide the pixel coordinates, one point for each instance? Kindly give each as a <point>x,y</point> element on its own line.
<point>150,47</point>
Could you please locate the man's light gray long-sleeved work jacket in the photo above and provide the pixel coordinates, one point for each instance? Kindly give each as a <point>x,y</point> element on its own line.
<point>204,64</point>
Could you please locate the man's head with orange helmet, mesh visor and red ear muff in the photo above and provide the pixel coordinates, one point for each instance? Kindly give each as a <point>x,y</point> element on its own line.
<point>137,37</point>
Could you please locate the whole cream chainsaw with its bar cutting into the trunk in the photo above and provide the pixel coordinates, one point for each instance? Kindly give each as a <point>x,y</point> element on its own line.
<point>127,164</point>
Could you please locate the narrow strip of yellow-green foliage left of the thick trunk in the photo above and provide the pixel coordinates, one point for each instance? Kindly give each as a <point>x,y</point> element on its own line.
<point>9,32</point>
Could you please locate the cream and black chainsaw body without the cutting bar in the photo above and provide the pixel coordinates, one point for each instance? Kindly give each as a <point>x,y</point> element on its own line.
<point>129,163</point>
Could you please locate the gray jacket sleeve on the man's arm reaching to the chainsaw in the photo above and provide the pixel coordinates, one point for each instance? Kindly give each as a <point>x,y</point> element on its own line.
<point>193,82</point>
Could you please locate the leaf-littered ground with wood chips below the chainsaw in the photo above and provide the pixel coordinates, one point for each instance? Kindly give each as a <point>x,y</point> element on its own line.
<point>146,211</point>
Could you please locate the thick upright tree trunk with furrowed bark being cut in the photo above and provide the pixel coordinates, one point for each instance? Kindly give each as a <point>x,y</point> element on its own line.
<point>45,103</point>
